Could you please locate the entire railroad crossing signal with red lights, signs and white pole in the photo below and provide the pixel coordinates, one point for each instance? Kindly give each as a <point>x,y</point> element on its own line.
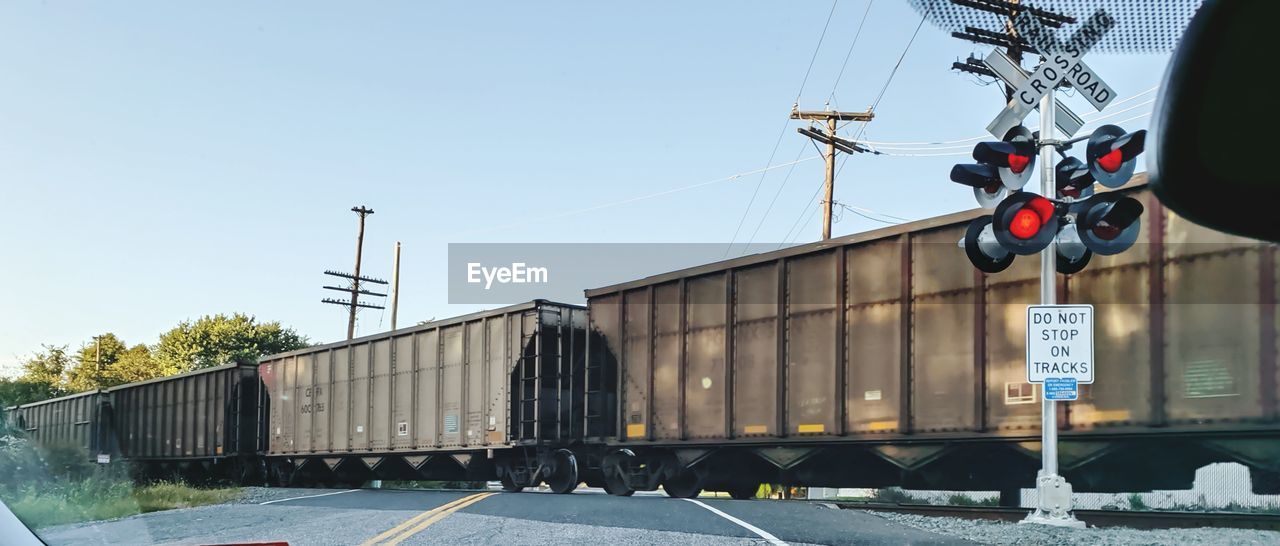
<point>1067,221</point>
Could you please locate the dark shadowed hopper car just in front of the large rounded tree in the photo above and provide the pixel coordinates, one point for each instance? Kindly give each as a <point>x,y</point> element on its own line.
<point>207,424</point>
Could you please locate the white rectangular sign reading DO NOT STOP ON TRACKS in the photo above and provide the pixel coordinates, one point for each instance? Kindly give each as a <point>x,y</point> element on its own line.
<point>1060,343</point>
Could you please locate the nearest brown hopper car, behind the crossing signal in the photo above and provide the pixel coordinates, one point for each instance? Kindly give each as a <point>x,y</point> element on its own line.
<point>885,359</point>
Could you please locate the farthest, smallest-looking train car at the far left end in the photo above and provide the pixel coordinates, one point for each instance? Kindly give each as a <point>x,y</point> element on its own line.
<point>79,420</point>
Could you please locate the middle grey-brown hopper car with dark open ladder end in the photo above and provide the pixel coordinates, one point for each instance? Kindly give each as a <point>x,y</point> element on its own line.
<point>496,394</point>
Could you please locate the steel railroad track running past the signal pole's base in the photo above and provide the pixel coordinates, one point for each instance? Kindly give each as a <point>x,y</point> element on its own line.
<point>1139,520</point>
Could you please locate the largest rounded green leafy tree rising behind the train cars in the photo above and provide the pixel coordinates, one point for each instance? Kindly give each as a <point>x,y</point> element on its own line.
<point>220,339</point>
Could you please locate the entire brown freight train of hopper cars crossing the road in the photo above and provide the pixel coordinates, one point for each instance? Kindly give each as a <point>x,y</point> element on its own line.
<point>875,360</point>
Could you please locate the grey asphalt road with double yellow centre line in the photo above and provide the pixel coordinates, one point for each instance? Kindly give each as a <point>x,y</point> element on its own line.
<point>386,517</point>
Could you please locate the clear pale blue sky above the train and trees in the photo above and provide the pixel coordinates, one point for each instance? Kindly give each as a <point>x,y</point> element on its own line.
<point>167,160</point>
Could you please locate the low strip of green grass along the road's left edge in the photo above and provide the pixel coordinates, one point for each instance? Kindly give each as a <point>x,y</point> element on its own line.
<point>95,499</point>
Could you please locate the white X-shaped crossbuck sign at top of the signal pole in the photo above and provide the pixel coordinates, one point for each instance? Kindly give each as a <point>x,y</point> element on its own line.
<point>1063,63</point>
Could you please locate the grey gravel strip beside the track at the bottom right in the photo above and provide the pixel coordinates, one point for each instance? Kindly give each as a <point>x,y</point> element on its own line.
<point>1012,534</point>
